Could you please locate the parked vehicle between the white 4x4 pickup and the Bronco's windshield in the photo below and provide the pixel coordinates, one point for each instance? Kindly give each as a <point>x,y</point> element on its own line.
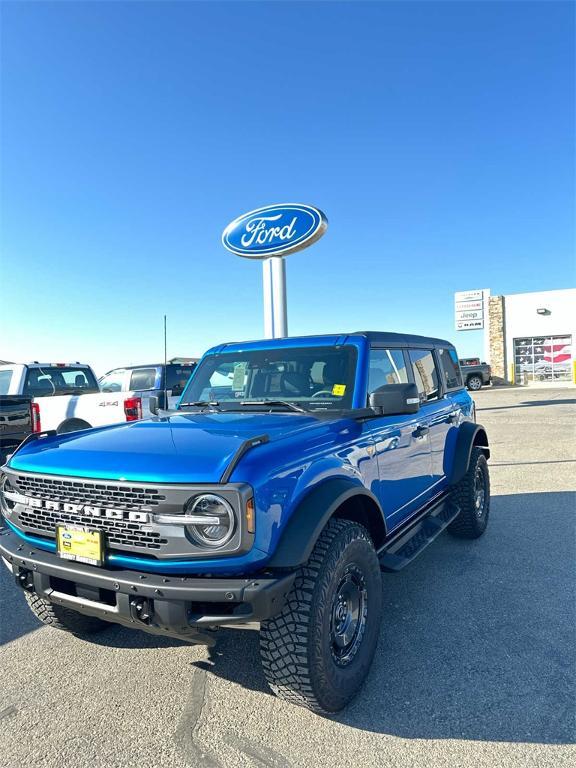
<point>145,381</point>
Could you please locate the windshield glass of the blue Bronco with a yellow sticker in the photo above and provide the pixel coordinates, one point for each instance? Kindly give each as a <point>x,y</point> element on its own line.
<point>316,378</point>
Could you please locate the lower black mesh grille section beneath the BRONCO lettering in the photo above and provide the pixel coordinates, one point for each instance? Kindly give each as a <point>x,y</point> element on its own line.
<point>118,532</point>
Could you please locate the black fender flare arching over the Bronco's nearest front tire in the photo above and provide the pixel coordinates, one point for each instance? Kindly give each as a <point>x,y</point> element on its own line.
<point>311,516</point>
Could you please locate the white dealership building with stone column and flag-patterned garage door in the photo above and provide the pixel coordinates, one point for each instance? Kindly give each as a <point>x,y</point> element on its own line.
<point>531,336</point>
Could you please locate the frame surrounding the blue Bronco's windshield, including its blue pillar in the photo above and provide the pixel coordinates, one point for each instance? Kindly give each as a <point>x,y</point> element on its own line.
<point>357,374</point>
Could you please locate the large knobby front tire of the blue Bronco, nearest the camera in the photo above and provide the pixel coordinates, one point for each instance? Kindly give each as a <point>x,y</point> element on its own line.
<point>296,646</point>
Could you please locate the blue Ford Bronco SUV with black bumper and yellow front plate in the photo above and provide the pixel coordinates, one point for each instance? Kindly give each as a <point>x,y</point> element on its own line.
<point>292,472</point>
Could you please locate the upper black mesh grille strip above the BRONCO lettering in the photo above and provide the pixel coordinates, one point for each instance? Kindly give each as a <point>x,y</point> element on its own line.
<point>130,498</point>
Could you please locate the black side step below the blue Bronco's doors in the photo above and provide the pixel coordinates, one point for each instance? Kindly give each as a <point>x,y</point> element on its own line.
<point>407,546</point>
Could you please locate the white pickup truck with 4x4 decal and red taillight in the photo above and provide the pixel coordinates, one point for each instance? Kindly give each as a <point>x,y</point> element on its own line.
<point>66,396</point>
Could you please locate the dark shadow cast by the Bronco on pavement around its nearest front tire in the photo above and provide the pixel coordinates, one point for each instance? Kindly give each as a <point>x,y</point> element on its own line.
<point>477,638</point>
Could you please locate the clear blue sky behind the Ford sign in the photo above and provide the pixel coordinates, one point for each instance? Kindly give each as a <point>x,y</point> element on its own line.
<point>438,137</point>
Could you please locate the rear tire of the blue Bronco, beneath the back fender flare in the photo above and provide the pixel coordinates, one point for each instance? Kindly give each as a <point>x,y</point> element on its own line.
<point>471,522</point>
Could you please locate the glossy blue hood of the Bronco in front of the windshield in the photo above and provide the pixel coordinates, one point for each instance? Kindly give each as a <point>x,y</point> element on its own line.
<point>186,447</point>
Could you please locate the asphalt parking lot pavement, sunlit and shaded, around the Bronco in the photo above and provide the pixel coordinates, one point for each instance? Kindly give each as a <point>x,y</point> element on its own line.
<point>475,666</point>
